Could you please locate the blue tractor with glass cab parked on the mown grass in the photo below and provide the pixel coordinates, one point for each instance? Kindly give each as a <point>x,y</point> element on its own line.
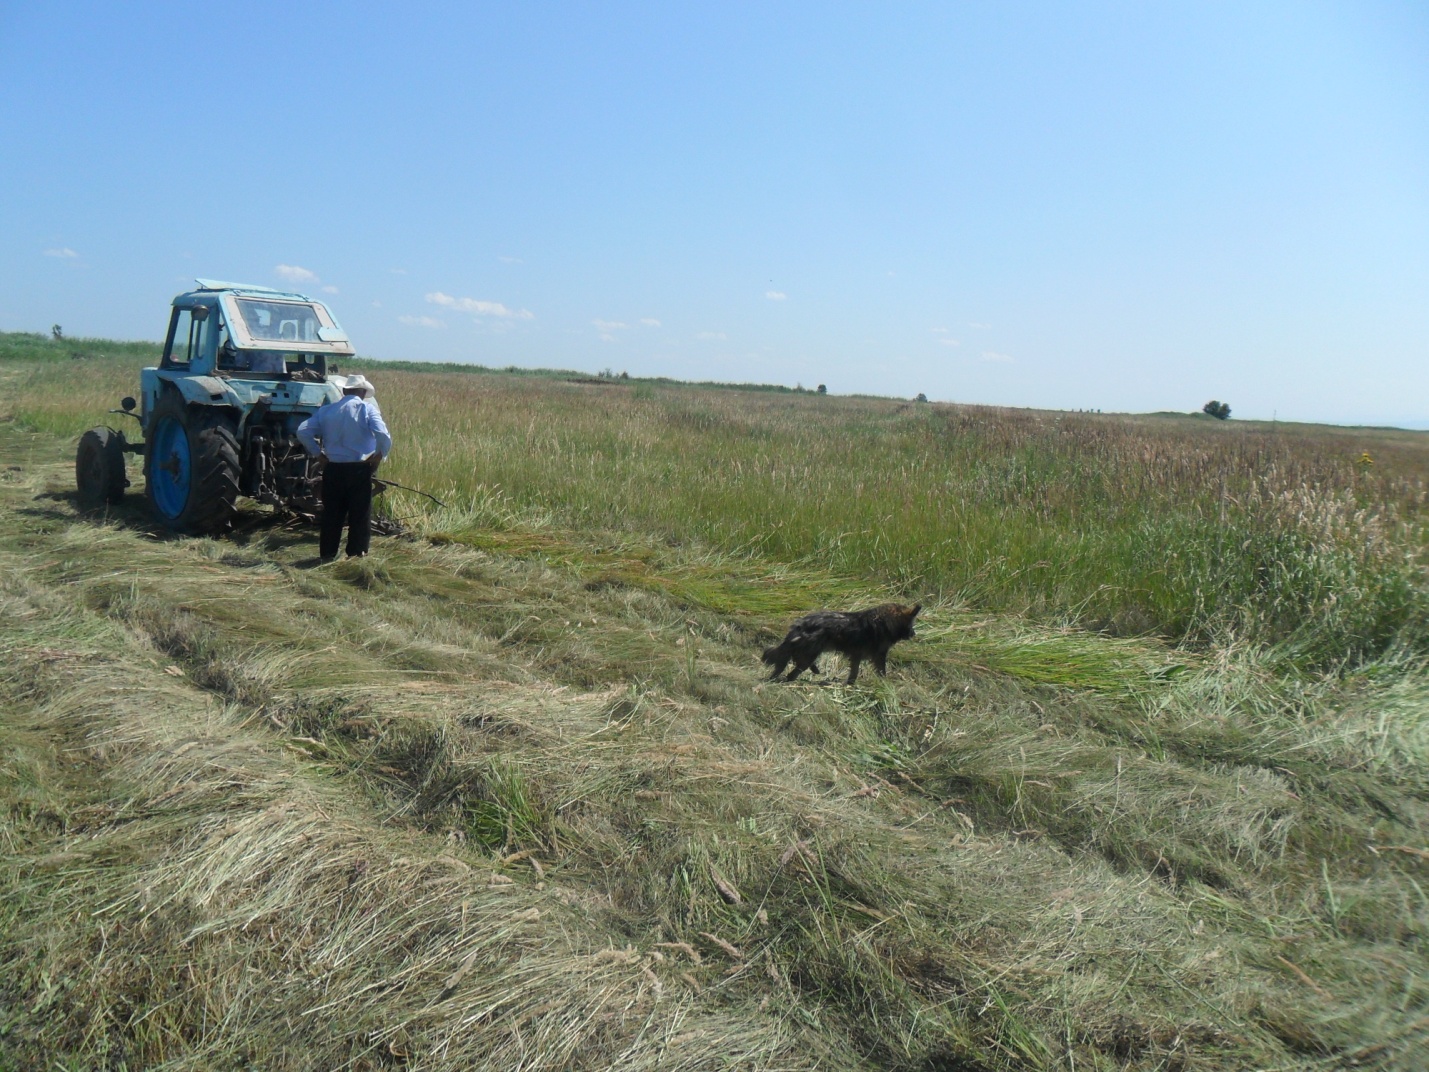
<point>242,368</point>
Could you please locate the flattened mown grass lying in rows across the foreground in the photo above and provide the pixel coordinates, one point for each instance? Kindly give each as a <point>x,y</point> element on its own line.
<point>458,805</point>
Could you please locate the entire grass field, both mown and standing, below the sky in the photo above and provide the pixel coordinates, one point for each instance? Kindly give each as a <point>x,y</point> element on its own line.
<point>512,793</point>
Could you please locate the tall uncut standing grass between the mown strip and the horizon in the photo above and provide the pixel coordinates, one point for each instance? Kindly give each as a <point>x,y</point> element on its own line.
<point>1305,540</point>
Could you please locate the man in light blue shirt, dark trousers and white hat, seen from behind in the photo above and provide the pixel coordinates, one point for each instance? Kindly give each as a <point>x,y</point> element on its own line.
<point>351,438</point>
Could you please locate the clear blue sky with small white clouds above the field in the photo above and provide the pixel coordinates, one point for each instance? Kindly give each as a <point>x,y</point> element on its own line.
<point>1120,207</point>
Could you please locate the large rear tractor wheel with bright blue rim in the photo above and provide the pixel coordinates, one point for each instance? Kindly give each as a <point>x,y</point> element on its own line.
<point>192,468</point>
